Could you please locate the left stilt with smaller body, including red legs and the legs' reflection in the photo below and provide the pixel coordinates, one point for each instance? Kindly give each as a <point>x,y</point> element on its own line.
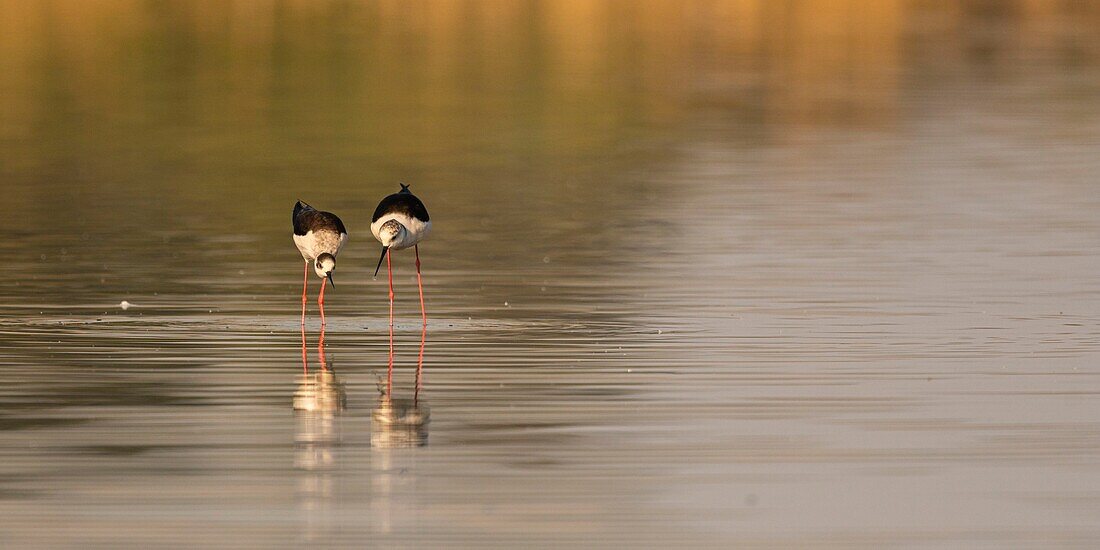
<point>320,237</point>
